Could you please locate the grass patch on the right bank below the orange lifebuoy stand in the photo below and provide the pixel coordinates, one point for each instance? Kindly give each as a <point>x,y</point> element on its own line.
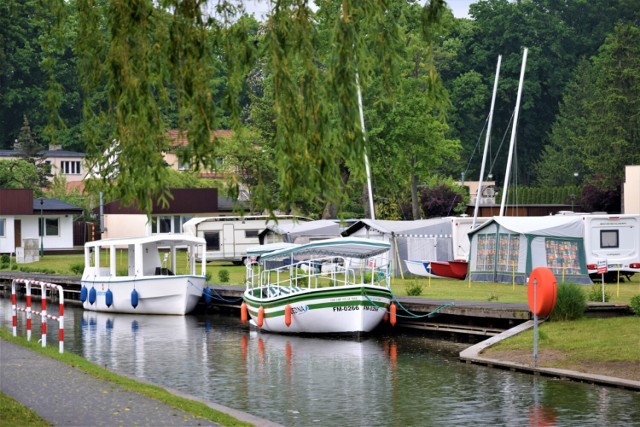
<point>615,339</point>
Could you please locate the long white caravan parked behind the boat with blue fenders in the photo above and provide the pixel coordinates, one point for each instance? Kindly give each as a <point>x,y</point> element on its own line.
<point>228,237</point>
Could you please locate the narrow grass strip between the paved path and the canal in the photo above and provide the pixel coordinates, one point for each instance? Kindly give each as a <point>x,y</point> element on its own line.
<point>158,393</point>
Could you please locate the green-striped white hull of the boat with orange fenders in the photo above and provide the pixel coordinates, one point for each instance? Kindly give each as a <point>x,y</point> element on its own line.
<point>339,310</point>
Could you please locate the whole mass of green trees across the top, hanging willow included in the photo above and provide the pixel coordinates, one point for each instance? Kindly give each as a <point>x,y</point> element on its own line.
<point>109,77</point>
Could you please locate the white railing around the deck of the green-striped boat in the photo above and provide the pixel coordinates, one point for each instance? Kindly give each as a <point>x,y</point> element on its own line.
<point>318,273</point>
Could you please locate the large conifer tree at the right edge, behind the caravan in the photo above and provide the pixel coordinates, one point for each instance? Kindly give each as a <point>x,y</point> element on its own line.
<point>597,131</point>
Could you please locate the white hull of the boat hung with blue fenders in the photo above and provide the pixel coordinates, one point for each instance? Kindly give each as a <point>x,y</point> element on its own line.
<point>176,295</point>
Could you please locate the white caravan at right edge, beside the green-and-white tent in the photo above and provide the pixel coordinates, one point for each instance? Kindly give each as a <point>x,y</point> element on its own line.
<point>614,241</point>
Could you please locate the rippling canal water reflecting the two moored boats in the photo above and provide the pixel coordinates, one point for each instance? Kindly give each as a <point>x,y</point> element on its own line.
<point>400,380</point>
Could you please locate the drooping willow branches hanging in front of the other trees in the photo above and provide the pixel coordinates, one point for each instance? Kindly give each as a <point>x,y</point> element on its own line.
<point>156,59</point>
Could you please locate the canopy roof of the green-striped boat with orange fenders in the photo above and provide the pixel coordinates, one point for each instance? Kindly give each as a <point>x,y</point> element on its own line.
<point>345,247</point>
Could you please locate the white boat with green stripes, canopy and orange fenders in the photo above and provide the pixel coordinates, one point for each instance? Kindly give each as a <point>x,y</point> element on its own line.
<point>331,286</point>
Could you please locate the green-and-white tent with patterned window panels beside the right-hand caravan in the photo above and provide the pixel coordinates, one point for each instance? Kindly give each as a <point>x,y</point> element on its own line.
<point>506,249</point>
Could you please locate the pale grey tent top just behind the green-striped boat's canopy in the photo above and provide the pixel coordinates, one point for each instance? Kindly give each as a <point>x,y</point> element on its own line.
<point>300,232</point>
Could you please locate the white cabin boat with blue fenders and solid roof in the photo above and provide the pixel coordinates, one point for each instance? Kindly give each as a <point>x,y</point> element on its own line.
<point>142,275</point>
